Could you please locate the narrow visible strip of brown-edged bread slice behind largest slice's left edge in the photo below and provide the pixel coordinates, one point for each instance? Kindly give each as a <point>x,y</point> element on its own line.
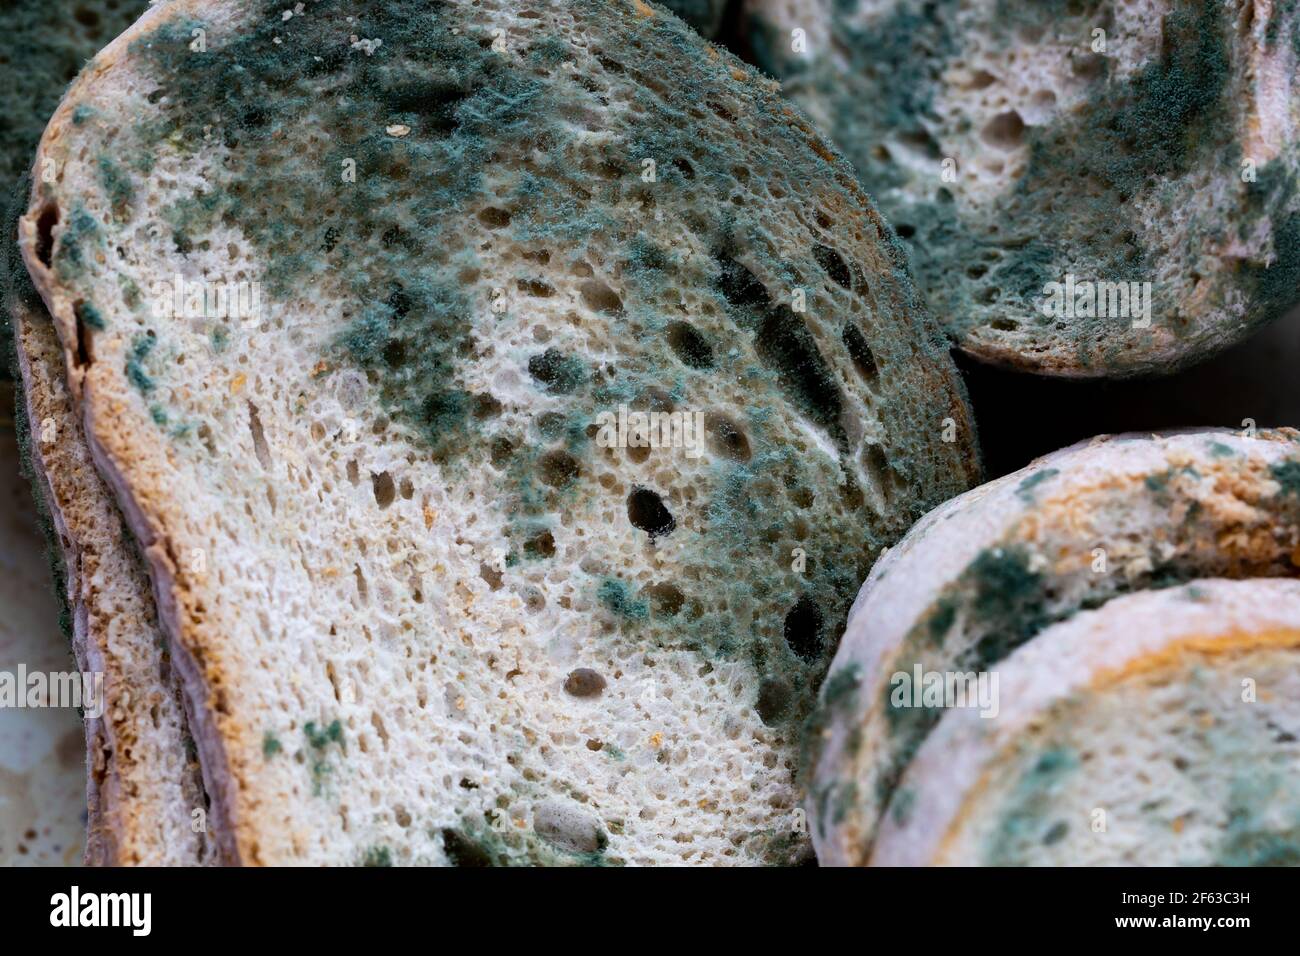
<point>144,782</point>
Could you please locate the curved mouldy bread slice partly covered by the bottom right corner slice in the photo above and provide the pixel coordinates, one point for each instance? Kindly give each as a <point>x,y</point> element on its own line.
<point>987,572</point>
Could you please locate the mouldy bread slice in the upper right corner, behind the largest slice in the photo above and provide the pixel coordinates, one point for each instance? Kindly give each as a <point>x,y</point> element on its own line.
<point>1169,158</point>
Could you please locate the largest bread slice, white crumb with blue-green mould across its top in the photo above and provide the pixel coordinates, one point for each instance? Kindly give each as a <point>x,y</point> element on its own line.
<point>383,533</point>
